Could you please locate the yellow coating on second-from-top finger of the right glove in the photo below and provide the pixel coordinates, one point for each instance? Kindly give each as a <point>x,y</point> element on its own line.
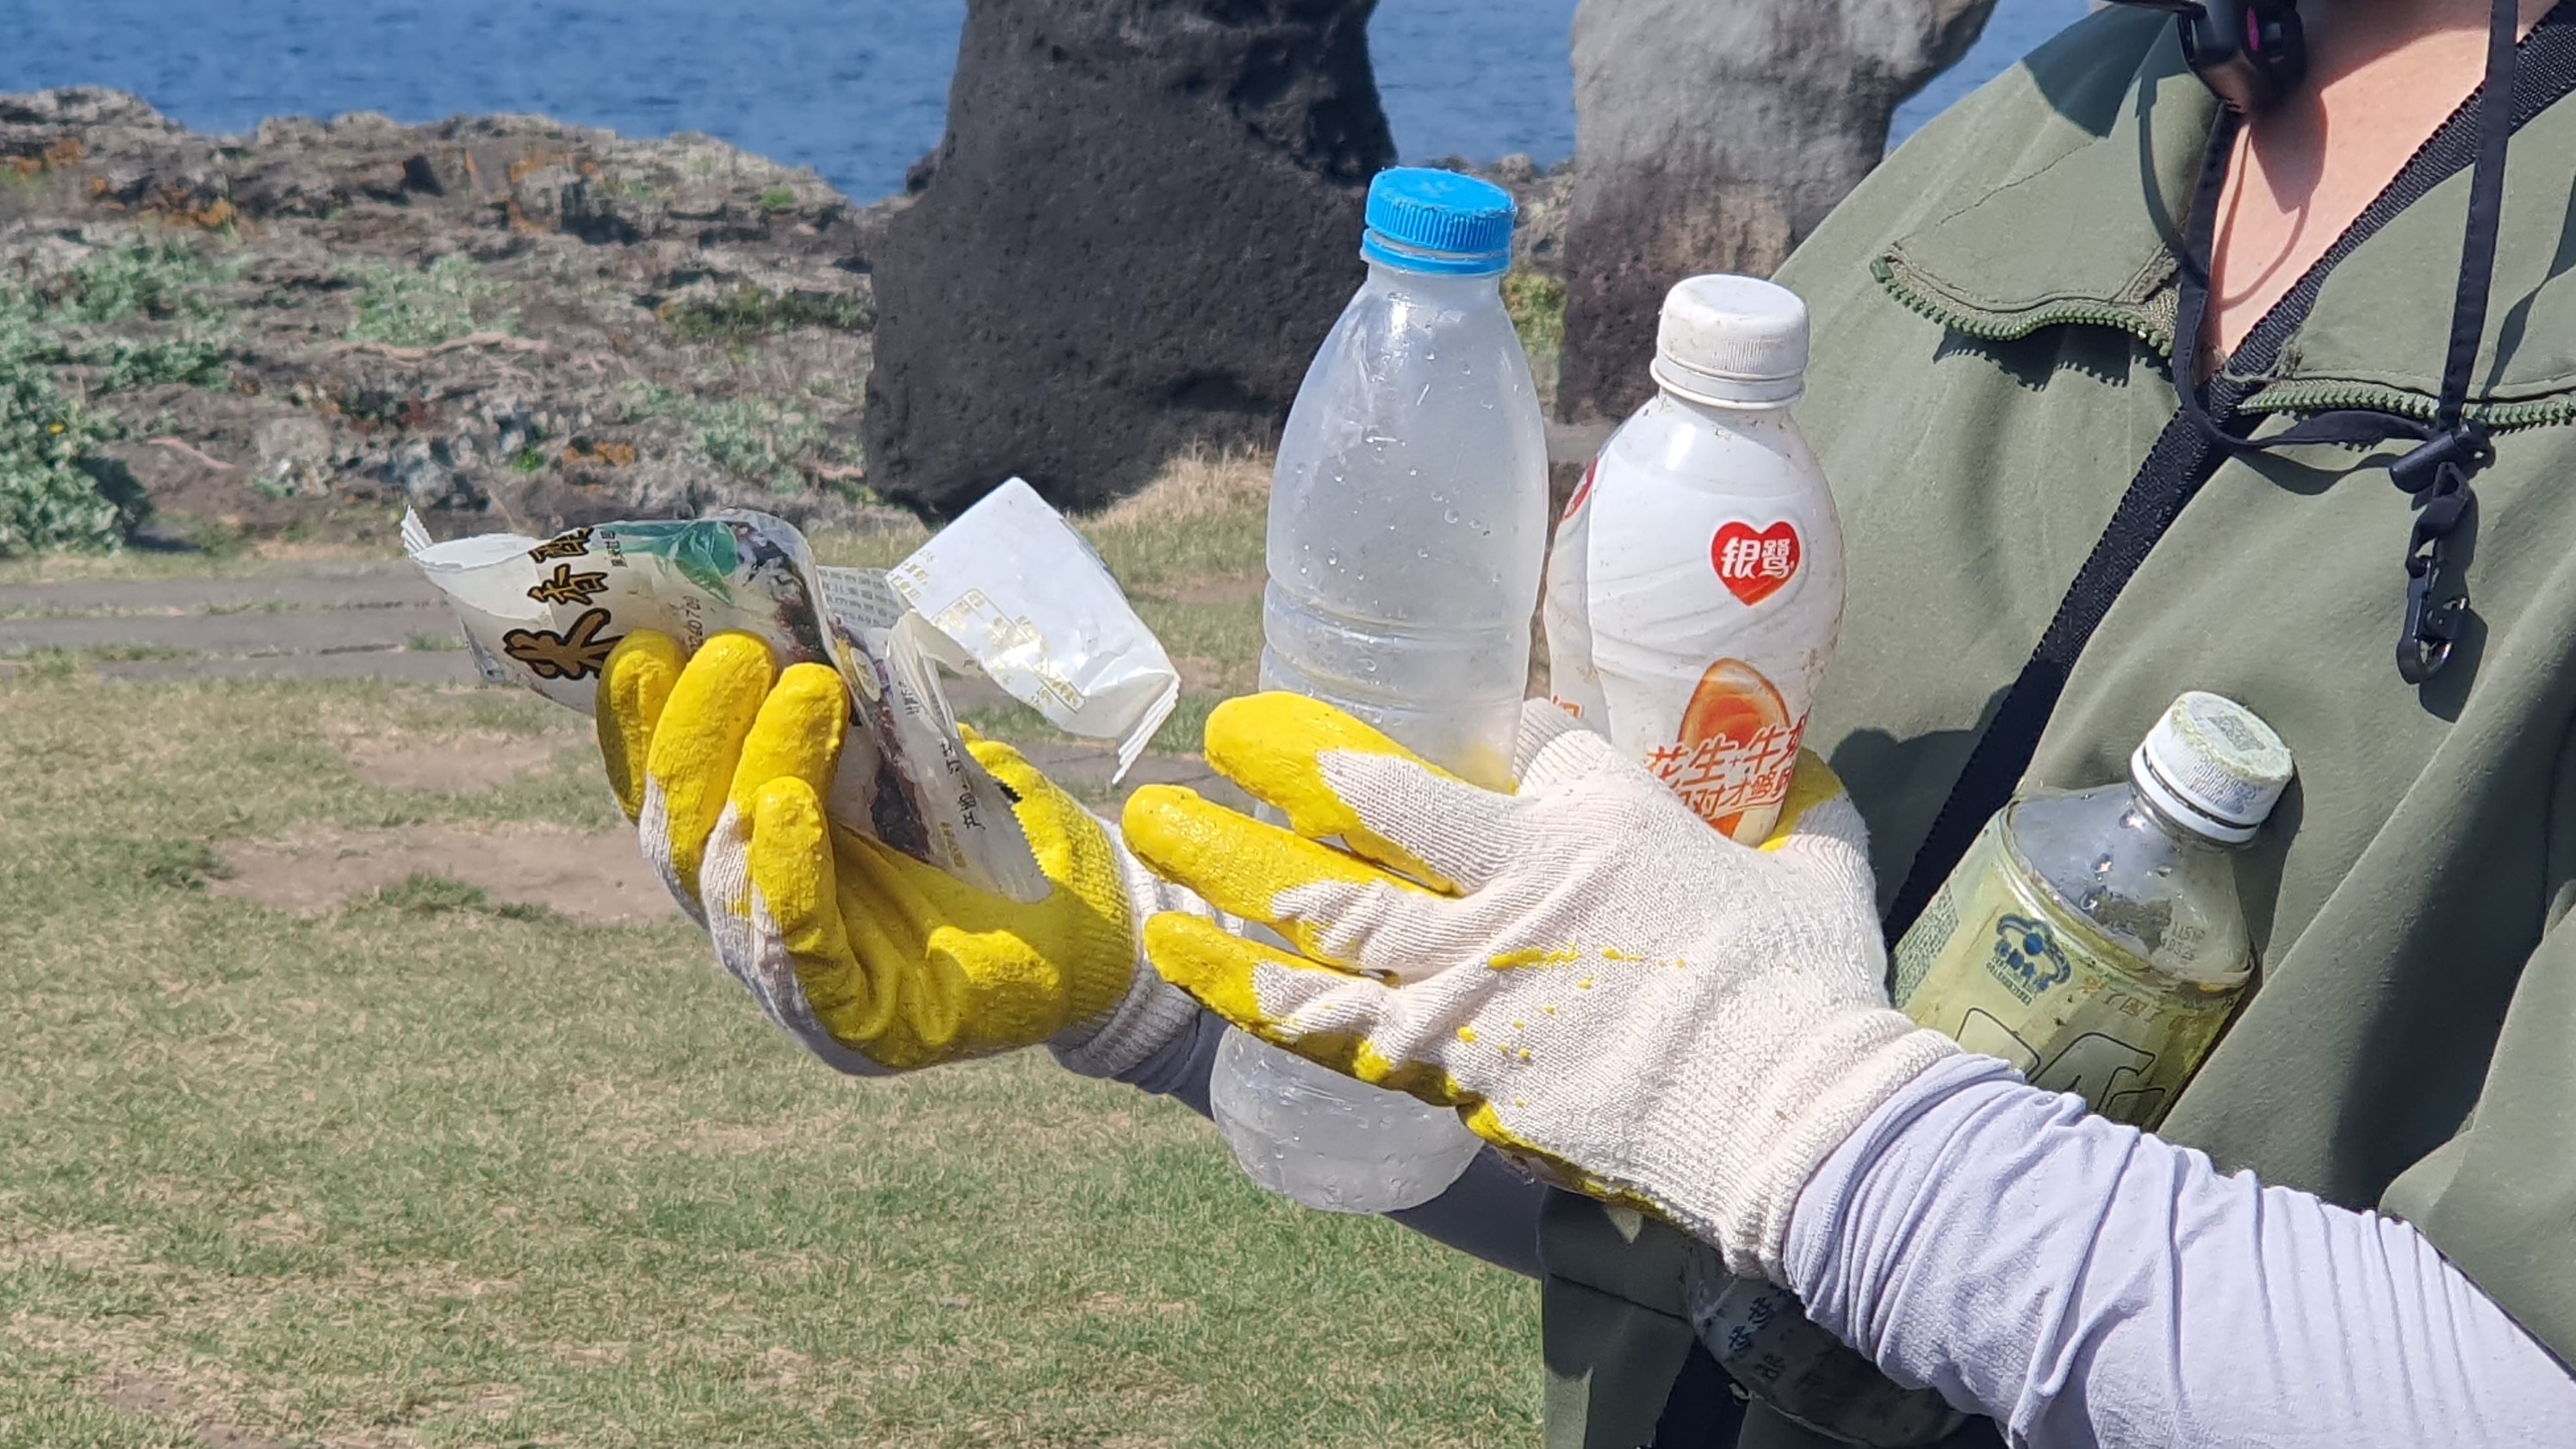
<point>1238,863</point>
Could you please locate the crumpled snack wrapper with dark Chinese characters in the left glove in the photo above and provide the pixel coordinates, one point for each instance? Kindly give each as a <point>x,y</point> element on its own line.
<point>545,616</point>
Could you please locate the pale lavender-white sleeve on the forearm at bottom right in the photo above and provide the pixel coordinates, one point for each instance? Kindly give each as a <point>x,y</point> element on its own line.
<point>2096,1288</point>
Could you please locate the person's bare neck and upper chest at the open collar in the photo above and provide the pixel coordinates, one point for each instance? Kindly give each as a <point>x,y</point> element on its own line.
<point>2382,81</point>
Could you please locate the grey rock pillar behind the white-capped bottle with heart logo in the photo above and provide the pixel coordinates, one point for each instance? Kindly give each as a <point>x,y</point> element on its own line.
<point>1712,138</point>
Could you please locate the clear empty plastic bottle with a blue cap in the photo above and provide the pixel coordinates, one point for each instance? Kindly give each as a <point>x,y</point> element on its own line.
<point>1408,531</point>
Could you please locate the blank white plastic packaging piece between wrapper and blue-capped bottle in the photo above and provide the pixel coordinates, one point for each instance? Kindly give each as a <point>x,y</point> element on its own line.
<point>1019,593</point>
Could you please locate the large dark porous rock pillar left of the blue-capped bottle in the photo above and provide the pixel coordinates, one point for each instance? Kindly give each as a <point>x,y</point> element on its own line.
<point>1135,235</point>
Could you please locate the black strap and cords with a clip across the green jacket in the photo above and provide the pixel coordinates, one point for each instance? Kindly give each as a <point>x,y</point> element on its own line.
<point>2196,444</point>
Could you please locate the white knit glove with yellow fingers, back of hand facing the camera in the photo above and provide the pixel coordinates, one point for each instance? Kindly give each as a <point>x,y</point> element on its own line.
<point>1604,987</point>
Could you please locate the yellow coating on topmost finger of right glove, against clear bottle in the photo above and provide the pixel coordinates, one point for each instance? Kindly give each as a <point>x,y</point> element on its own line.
<point>1274,748</point>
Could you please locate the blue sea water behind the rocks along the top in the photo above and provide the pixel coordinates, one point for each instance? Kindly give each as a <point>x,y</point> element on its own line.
<point>854,89</point>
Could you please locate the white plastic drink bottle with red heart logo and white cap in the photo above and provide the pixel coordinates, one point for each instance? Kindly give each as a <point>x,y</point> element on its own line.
<point>1696,586</point>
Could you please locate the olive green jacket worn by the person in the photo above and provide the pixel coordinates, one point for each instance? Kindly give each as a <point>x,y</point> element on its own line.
<point>1993,326</point>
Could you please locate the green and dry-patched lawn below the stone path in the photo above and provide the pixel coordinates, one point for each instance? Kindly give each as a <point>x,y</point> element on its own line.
<point>431,1172</point>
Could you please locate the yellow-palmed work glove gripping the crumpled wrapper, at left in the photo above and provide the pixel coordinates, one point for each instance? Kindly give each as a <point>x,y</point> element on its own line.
<point>867,956</point>
